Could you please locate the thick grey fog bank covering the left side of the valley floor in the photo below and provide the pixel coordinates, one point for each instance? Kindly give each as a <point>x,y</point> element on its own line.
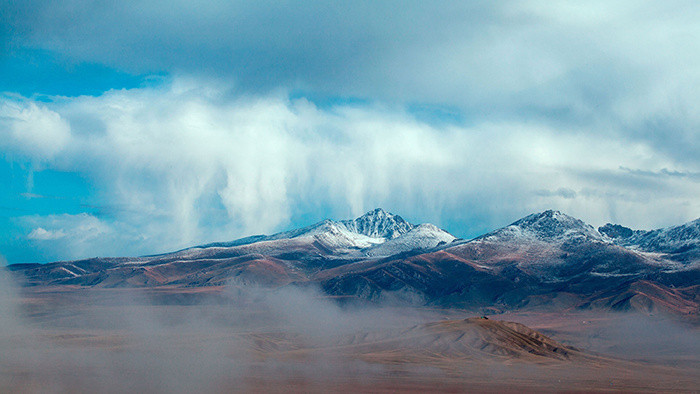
<point>117,341</point>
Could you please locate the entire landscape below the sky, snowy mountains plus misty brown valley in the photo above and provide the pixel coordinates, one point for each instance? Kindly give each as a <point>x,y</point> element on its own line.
<point>371,304</point>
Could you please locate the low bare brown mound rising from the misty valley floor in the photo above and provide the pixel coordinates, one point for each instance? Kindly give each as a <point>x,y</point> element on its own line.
<point>440,342</point>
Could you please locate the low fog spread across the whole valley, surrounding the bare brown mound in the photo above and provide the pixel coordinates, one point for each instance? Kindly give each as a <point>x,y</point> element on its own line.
<point>251,338</point>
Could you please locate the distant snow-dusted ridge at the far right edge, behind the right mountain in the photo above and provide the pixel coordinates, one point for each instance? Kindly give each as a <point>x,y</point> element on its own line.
<point>676,239</point>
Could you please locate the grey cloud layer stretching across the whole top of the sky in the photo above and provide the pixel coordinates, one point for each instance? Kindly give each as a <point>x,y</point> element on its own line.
<point>625,66</point>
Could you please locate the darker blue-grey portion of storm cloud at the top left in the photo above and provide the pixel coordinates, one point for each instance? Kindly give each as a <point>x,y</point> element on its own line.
<point>260,44</point>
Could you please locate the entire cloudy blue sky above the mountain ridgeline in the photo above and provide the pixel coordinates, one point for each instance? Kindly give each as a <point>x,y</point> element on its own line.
<point>137,128</point>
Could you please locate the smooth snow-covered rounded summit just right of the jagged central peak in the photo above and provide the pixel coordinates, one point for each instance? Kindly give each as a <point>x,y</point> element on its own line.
<point>424,236</point>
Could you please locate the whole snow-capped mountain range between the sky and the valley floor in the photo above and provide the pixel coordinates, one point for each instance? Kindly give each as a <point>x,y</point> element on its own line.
<point>544,260</point>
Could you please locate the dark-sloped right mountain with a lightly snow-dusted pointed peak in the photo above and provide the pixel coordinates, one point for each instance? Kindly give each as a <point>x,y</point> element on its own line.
<point>546,259</point>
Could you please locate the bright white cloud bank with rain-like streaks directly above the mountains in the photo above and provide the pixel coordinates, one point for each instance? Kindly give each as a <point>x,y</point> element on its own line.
<point>192,162</point>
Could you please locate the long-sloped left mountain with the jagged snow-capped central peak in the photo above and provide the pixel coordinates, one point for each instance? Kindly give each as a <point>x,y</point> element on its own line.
<point>278,259</point>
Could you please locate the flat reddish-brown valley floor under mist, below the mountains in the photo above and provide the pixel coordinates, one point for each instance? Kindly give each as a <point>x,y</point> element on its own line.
<point>68,339</point>
